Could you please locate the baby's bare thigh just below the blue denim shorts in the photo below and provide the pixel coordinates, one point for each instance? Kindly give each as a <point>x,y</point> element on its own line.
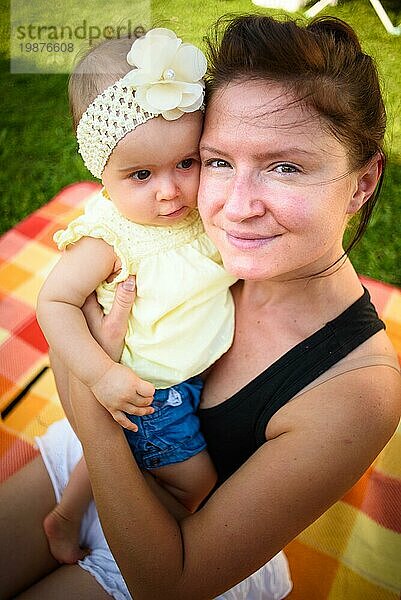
<point>189,481</point>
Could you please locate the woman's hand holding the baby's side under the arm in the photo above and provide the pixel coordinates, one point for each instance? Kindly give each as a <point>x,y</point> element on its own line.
<point>109,330</point>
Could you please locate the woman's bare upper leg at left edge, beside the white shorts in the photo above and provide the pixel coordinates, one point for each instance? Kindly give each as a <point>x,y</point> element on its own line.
<point>25,499</point>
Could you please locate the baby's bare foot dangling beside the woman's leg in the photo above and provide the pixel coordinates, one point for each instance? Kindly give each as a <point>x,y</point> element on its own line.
<point>63,537</point>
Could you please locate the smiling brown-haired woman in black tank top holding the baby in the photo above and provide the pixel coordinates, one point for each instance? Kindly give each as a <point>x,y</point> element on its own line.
<point>309,392</point>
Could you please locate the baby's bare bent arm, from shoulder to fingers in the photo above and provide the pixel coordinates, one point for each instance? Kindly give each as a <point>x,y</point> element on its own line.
<point>78,273</point>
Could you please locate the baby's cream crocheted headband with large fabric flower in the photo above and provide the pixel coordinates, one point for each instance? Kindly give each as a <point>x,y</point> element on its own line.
<point>167,81</point>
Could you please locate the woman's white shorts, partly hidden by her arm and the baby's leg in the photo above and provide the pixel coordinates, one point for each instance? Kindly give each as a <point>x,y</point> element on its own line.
<point>61,450</point>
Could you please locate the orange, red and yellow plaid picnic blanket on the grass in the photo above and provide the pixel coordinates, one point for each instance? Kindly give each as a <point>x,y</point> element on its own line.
<point>353,552</point>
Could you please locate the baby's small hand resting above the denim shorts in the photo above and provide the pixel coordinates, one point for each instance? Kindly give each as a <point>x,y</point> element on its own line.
<point>121,391</point>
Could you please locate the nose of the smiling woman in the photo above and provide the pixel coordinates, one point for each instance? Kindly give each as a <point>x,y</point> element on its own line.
<point>242,201</point>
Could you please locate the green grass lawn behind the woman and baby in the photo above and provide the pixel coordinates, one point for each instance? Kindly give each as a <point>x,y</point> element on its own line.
<point>38,149</point>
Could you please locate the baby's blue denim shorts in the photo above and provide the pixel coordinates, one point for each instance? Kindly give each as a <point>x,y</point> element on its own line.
<point>172,433</point>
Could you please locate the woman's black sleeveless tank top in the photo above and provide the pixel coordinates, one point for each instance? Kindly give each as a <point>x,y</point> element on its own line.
<point>235,429</point>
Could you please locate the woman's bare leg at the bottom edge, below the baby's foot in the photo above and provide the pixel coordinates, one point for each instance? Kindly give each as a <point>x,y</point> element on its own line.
<point>69,582</point>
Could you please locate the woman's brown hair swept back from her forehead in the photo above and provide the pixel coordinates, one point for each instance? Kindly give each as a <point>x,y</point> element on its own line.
<point>322,64</point>
